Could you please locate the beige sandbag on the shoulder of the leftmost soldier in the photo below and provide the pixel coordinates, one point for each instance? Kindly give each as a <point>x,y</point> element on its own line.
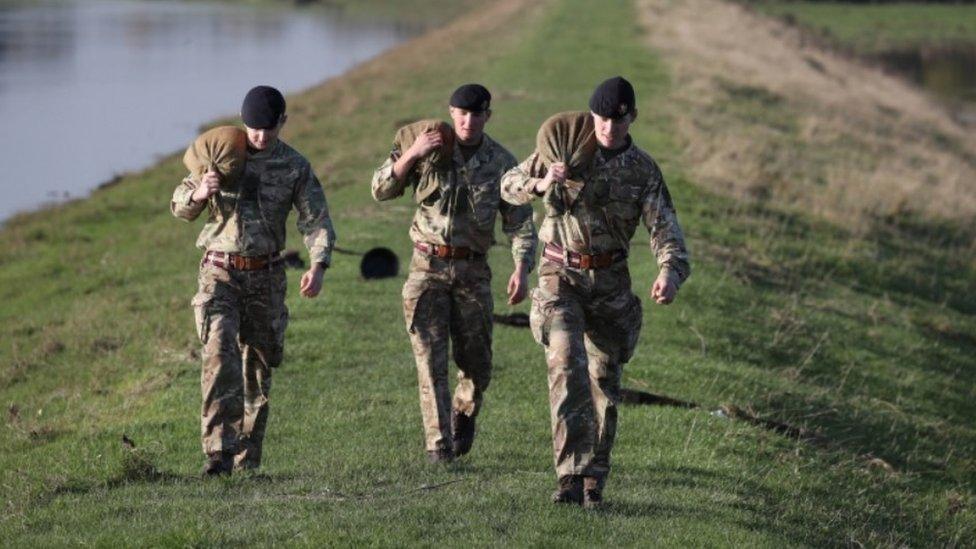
<point>223,148</point>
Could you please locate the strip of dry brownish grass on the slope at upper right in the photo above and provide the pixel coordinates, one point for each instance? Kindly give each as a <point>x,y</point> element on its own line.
<point>761,113</point>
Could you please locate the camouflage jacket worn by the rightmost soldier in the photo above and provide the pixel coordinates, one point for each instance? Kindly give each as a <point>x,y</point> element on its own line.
<point>617,194</point>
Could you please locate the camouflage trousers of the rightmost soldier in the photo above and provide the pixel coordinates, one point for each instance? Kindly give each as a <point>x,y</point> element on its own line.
<point>588,321</point>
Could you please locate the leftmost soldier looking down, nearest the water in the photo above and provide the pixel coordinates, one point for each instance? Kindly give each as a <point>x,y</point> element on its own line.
<point>240,306</point>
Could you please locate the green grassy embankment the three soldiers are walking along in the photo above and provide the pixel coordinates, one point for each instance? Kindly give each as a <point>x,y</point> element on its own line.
<point>865,340</point>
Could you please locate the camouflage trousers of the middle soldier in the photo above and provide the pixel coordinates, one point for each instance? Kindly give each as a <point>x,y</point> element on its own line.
<point>445,300</point>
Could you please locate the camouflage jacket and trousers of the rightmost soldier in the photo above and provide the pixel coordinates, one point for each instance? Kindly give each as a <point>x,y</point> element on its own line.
<point>588,319</point>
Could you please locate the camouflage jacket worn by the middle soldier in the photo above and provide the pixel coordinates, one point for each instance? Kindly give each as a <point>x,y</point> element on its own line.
<point>461,211</point>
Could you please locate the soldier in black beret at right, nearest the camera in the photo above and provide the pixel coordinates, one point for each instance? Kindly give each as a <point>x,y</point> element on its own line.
<point>583,311</point>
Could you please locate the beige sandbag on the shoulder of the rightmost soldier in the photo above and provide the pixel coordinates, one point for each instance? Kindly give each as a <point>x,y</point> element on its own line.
<point>567,137</point>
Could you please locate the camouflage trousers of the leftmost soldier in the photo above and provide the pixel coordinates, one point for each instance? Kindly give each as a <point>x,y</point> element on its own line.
<point>241,318</point>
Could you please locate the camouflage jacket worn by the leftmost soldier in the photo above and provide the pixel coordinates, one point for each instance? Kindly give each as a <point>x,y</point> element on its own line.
<point>249,218</point>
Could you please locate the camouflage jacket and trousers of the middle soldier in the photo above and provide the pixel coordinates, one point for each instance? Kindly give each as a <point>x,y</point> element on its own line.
<point>451,298</point>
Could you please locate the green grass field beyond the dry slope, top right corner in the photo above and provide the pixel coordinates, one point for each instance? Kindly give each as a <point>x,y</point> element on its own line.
<point>877,28</point>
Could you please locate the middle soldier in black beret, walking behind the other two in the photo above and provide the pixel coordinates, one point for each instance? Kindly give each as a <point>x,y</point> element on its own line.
<point>448,292</point>
